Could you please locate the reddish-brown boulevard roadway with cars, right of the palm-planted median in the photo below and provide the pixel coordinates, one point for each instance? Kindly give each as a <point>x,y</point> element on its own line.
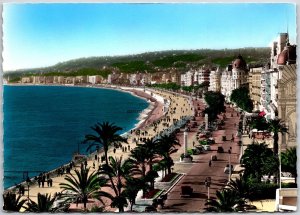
<point>199,170</point>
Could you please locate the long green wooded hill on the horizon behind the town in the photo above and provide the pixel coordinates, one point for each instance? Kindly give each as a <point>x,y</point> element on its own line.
<point>151,62</point>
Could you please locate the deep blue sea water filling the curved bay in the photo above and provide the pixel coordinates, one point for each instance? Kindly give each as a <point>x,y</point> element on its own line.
<point>44,124</point>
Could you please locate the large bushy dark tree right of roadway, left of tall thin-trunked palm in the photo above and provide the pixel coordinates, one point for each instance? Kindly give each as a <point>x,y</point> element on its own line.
<point>254,160</point>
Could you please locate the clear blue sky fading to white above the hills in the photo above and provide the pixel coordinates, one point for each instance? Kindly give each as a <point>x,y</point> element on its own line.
<point>37,35</point>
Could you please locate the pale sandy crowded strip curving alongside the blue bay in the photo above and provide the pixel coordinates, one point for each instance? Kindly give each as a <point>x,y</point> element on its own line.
<point>178,107</point>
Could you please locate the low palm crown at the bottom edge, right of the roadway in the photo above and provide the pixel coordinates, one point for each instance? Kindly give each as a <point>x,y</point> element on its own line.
<point>227,201</point>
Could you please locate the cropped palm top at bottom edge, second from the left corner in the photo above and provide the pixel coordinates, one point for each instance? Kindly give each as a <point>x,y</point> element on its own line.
<point>44,204</point>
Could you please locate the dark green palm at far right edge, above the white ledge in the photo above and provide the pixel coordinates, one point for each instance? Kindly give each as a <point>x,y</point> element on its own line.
<point>289,162</point>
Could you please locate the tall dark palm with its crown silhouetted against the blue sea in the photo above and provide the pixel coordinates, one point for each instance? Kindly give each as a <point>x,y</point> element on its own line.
<point>107,135</point>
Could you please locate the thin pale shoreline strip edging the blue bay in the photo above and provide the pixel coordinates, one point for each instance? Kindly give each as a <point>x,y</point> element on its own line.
<point>141,119</point>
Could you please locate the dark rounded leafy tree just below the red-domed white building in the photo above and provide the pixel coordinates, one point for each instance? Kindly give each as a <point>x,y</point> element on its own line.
<point>241,98</point>
